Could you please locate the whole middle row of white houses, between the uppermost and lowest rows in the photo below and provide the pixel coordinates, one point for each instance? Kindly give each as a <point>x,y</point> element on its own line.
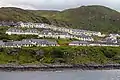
<point>48,34</point>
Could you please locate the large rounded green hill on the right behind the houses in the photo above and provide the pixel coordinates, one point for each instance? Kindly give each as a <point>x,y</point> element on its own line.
<point>98,18</point>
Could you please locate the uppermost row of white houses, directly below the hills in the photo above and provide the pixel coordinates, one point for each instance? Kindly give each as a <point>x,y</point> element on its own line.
<point>62,29</point>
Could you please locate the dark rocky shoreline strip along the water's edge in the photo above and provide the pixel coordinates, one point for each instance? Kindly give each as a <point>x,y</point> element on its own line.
<point>48,67</point>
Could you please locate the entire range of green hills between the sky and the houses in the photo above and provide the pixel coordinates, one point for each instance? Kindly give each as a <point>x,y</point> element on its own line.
<point>97,18</point>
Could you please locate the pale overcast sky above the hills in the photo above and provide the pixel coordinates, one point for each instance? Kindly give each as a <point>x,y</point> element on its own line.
<point>57,4</point>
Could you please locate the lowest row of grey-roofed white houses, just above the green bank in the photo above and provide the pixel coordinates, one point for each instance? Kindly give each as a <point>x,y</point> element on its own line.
<point>46,43</point>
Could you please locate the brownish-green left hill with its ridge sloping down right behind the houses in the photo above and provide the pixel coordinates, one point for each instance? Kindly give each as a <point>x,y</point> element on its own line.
<point>17,14</point>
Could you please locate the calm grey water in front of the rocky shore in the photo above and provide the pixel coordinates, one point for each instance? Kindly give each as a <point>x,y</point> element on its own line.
<point>64,75</point>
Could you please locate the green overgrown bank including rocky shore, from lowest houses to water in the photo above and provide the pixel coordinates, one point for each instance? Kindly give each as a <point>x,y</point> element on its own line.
<point>59,58</point>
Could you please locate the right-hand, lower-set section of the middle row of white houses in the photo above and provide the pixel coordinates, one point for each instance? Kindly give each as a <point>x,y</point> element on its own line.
<point>51,34</point>
